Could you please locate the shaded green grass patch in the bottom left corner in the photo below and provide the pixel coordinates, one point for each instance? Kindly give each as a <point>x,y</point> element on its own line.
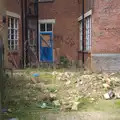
<point>29,113</point>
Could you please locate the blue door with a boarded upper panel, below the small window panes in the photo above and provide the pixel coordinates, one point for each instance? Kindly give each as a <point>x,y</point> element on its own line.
<point>46,47</point>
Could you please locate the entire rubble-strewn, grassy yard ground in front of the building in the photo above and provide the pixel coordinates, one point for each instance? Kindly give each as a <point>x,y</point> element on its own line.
<point>61,95</point>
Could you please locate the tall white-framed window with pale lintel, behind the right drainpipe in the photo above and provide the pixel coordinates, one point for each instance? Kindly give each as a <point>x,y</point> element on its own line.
<point>88,30</point>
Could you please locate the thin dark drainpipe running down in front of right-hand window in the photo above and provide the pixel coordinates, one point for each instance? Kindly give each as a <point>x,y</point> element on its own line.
<point>83,56</point>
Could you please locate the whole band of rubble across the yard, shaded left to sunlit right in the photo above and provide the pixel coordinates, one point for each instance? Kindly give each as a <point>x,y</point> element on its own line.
<point>69,90</point>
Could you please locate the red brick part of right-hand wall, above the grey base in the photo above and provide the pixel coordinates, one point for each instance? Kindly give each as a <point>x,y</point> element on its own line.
<point>106,26</point>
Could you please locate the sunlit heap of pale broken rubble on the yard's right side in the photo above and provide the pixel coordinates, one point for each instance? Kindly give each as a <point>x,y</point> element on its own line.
<point>91,86</point>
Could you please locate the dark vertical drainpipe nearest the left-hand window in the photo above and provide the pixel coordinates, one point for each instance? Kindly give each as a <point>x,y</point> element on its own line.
<point>23,35</point>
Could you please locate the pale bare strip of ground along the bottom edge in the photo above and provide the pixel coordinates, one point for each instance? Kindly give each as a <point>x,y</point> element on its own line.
<point>81,116</point>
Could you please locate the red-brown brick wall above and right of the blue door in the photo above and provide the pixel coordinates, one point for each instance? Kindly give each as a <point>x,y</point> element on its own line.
<point>66,28</point>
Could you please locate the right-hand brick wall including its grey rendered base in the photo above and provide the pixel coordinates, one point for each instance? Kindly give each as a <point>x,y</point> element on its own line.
<point>106,35</point>
